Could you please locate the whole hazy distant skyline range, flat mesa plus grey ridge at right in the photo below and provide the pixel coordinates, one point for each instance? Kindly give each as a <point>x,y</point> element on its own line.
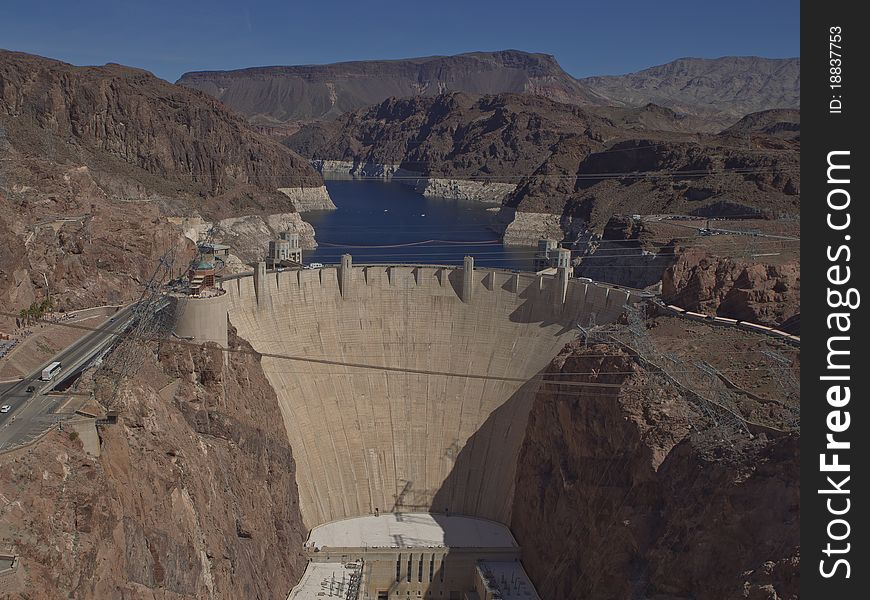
<point>720,90</point>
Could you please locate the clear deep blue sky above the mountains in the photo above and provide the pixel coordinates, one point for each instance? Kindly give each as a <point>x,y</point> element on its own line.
<point>605,37</point>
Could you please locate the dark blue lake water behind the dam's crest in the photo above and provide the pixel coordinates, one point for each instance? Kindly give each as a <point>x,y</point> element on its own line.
<point>388,222</point>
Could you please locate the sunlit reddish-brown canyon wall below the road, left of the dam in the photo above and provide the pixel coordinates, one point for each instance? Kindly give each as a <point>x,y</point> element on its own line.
<point>193,496</point>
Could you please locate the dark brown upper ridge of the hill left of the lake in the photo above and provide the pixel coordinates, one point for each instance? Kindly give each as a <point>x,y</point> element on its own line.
<point>130,115</point>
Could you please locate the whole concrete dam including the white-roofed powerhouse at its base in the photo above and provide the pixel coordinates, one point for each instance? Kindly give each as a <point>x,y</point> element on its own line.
<point>405,392</point>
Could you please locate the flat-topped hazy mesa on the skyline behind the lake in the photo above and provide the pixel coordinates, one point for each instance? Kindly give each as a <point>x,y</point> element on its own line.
<point>277,95</point>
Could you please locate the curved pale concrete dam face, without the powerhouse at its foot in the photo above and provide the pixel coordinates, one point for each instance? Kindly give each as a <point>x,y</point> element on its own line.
<point>413,386</point>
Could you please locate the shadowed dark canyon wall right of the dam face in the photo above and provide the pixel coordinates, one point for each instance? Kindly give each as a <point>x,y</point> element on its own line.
<point>620,495</point>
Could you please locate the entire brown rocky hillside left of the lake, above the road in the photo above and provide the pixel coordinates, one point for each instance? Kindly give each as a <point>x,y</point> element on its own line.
<point>99,166</point>
